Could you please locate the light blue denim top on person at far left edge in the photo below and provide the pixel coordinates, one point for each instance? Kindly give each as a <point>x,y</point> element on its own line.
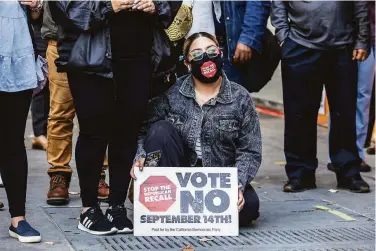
<point>17,60</point>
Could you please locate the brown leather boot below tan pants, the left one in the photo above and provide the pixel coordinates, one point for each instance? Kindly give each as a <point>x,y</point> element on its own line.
<point>58,192</point>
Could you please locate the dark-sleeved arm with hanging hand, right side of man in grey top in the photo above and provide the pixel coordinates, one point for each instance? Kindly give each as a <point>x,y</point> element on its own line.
<point>363,36</point>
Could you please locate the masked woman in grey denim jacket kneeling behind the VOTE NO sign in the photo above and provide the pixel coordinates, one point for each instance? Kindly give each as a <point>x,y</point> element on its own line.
<point>205,120</point>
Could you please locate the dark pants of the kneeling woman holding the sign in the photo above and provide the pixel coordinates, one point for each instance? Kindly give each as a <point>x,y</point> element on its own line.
<point>163,137</point>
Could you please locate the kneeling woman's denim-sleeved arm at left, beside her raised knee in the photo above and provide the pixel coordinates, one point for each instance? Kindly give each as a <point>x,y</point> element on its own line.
<point>158,110</point>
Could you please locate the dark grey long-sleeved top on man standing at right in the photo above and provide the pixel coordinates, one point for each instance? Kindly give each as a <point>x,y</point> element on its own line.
<point>322,24</point>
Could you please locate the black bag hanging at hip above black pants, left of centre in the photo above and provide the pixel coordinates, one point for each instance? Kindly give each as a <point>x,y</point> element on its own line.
<point>89,53</point>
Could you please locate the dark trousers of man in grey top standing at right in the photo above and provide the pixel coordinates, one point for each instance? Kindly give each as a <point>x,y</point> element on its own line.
<point>304,73</point>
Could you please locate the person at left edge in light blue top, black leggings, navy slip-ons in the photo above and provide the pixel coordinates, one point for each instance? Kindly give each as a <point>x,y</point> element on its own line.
<point>18,78</point>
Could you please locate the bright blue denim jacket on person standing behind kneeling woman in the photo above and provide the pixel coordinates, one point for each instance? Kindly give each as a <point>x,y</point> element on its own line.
<point>245,23</point>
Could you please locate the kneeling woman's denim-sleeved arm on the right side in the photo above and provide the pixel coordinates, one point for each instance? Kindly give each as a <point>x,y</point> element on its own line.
<point>248,146</point>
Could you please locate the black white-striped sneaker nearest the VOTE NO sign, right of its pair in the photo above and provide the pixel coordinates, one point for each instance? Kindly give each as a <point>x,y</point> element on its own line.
<point>118,216</point>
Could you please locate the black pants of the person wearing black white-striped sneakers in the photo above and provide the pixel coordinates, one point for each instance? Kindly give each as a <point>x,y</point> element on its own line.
<point>109,112</point>
